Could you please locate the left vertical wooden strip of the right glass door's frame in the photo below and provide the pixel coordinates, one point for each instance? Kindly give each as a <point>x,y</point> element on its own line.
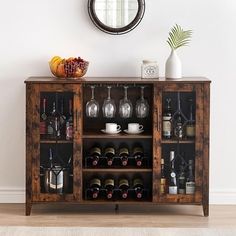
<point>157,99</point>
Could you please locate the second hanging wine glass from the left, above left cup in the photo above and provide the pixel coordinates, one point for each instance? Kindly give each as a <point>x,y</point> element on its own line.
<point>109,107</point>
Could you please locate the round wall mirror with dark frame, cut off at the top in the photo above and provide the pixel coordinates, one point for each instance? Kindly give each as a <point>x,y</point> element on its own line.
<point>116,16</point>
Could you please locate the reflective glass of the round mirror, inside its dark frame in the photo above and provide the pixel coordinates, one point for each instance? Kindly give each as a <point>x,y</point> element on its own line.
<point>116,13</point>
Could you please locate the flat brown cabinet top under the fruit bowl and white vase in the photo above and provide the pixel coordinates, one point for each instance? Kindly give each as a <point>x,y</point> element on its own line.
<point>116,80</point>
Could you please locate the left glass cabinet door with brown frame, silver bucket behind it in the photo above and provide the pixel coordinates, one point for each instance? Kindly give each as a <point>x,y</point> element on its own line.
<point>56,165</point>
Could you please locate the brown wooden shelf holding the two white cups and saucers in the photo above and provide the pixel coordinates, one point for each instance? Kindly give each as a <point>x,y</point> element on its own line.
<point>92,135</point>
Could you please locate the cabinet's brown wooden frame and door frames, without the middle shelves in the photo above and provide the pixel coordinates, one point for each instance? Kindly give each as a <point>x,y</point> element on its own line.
<point>35,85</point>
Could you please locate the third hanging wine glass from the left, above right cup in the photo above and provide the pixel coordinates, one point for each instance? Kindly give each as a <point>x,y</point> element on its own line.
<point>125,107</point>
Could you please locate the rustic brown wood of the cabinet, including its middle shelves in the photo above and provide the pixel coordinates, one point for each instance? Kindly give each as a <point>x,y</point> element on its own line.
<point>84,135</point>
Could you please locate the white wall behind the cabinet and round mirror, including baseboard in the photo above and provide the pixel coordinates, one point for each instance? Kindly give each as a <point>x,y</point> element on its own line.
<point>33,31</point>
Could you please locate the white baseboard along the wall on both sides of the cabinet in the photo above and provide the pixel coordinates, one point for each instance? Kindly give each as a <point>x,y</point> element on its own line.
<point>17,195</point>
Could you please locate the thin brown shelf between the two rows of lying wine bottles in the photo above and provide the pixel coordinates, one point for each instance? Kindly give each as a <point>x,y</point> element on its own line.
<point>96,170</point>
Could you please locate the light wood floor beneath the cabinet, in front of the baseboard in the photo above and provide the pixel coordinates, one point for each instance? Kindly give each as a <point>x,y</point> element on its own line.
<point>104,216</point>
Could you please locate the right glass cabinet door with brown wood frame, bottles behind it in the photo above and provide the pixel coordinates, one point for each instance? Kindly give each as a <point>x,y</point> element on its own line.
<point>178,141</point>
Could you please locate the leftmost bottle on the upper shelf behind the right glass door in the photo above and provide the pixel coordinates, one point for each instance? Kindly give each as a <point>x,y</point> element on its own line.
<point>166,120</point>
